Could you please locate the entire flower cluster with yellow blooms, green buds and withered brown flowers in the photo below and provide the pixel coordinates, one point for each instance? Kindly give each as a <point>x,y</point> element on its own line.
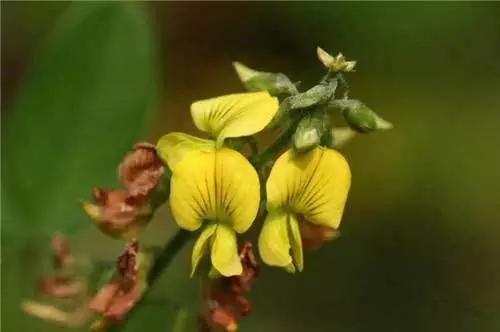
<point>294,191</point>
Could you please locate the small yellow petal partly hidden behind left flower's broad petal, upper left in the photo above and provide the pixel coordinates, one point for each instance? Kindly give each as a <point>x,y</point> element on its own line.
<point>173,147</point>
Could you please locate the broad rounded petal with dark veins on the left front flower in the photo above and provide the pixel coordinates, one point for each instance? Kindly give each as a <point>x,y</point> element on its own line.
<point>220,185</point>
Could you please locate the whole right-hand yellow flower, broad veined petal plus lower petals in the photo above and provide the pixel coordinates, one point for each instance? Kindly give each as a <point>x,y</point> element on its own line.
<point>311,186</point>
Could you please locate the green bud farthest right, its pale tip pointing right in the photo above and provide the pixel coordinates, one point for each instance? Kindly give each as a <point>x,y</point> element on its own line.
<point>360,117</point>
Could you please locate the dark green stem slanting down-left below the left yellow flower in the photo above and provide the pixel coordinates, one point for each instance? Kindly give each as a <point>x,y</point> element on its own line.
<point>162,261</point>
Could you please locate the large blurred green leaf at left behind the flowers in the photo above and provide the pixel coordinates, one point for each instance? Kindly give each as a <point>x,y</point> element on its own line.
<point>85,101</point>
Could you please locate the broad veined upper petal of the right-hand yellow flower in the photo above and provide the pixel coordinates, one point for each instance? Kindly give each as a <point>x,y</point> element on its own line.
<point>314,184</point>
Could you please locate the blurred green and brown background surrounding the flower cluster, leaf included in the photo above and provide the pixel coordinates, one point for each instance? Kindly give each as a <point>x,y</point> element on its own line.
<point>420,240</point>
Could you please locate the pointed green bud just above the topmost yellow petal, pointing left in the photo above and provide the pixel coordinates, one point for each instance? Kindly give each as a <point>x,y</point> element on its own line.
<point>275,83</point>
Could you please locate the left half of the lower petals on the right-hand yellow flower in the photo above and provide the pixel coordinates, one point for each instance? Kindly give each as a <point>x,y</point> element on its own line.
<point>274,243</point>
